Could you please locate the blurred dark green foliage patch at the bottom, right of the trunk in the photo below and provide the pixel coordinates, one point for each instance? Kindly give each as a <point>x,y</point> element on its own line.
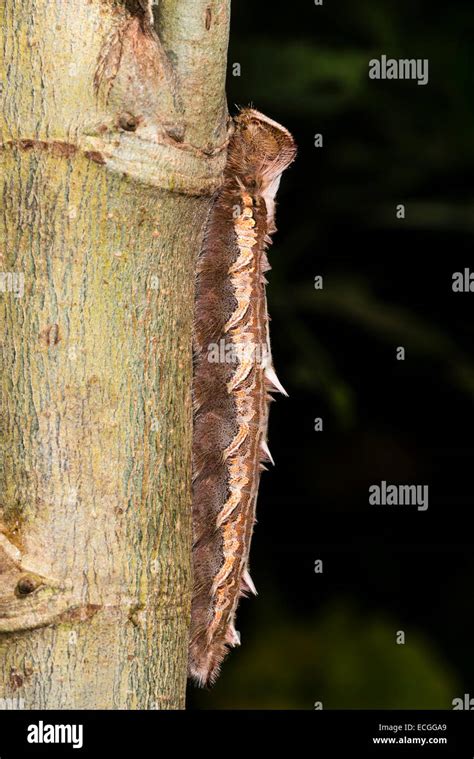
<point>342,658</point>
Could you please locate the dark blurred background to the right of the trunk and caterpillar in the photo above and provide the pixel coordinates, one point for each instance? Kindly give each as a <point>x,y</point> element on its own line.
<point>331,637</point>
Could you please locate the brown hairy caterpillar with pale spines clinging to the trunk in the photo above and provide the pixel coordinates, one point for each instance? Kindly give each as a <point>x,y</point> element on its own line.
<point>233,379</point>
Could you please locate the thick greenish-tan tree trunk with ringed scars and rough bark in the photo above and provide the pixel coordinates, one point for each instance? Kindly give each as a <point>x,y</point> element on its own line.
<point>113,134</point>
